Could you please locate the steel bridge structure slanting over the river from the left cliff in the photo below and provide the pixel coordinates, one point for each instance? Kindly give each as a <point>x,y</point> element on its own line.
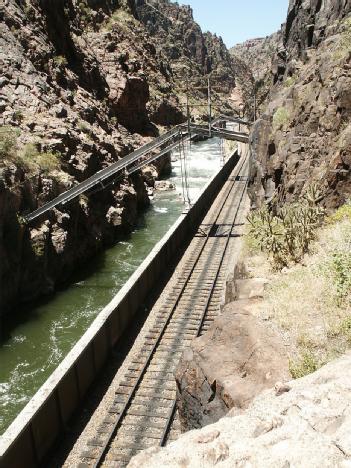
<point>144,156</point>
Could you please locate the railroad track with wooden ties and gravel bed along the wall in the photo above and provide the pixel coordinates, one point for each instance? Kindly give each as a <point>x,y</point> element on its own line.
<point>143,413</point>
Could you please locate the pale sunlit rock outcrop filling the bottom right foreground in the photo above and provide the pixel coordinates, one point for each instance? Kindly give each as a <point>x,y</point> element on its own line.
<point>306,425</point>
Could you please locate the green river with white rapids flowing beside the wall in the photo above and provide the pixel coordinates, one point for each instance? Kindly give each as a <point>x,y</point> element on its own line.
<point>47,332</point>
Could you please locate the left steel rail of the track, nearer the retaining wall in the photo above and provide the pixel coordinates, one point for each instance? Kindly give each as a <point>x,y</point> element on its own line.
<point>112,433</point>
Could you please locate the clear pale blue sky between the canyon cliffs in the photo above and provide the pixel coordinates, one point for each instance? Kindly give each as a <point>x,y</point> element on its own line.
<point>238,20</point>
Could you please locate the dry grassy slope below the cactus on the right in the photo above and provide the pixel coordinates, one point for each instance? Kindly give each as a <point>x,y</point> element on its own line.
<point>310,301</point>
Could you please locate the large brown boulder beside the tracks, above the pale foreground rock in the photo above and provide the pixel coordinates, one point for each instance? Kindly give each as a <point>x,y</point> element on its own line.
<point>228,367</point>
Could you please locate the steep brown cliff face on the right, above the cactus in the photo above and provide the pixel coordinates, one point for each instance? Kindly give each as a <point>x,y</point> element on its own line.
<point>305,133</point>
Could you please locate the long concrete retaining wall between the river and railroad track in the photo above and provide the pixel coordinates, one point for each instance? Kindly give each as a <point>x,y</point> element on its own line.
<point>32,434</point>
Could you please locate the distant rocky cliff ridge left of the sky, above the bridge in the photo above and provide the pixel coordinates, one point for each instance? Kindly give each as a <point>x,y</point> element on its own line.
<point>192,55</point>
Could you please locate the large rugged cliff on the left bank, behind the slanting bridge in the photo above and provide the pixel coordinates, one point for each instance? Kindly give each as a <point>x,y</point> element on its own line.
<point>82,85</point>
